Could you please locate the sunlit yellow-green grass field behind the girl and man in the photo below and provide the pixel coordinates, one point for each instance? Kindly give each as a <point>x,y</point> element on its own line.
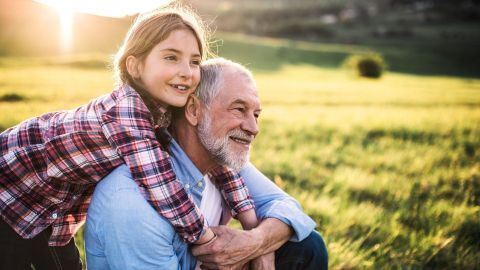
<point>389,169</point>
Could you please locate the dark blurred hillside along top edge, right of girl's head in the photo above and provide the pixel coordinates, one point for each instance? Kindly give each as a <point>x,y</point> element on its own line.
<point>328,20</point>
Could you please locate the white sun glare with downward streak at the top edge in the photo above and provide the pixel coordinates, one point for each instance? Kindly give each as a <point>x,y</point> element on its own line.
<point>107,8</point>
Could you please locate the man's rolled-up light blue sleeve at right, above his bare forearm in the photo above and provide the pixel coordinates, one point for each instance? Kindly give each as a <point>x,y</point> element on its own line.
<point>272,202</point>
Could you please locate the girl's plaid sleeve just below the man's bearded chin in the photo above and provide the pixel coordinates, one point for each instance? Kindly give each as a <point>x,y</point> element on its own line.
<point>233,189</point>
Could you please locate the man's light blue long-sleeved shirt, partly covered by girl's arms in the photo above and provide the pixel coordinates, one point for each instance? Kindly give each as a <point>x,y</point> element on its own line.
<point>123,231</point>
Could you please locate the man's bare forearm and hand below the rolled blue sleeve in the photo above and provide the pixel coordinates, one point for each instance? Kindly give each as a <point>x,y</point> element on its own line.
<point>233,248</point>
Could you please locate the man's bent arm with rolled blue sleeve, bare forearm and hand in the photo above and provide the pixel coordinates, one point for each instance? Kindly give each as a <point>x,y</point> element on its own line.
<point>282,220</point>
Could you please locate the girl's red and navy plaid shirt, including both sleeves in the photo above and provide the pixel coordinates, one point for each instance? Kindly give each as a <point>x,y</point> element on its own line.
<point>49,166</point>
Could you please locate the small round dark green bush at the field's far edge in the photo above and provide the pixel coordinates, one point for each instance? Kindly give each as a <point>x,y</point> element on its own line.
<point>369,65</point>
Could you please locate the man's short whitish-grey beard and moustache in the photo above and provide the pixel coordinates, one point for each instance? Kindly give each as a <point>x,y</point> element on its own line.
<point>220,148</point>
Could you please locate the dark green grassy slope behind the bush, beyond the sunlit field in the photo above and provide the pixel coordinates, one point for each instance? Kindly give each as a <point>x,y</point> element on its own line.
<point>431,57</point>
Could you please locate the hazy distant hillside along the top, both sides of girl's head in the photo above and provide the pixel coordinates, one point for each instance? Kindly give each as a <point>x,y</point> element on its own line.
<point>27,27</point>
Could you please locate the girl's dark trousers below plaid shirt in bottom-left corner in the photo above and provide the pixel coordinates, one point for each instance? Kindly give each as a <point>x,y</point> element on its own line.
<point>19,253</point>
